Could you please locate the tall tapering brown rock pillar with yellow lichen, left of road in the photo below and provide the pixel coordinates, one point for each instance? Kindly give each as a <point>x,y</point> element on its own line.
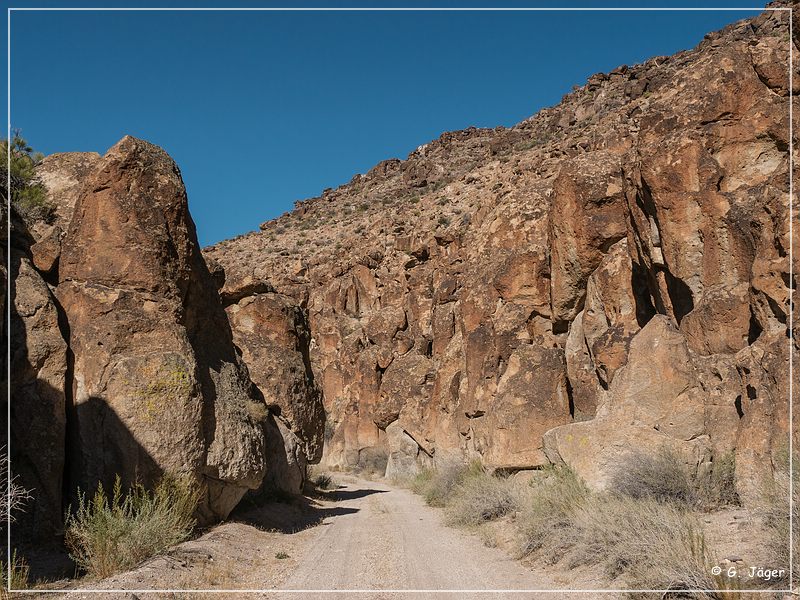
<point>156,384</point>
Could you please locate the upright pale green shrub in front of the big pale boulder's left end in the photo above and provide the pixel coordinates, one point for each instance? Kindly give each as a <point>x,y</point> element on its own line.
<point>546,521</point>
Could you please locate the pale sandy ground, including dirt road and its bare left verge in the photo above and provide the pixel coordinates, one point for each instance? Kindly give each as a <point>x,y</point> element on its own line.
<point>364,536</point>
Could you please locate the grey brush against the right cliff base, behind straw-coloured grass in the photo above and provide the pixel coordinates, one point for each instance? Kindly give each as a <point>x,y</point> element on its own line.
<point>664,476</point>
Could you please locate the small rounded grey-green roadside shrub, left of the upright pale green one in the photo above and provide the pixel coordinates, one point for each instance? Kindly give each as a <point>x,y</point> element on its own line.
<point>480,498</point>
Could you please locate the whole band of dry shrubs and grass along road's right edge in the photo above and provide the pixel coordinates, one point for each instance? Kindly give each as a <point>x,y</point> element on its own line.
<point>643,532</point>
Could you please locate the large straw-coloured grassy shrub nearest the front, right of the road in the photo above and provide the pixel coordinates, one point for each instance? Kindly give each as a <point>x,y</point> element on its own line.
<point>653,544</point>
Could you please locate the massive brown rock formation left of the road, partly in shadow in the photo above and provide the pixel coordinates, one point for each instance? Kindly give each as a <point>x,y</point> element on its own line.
<point>123,359</point>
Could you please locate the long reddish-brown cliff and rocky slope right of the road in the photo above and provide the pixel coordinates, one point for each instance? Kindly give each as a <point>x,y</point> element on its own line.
<point>610,272</point>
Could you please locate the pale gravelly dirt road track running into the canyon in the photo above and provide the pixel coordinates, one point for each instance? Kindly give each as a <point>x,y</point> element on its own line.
<point>387,538</point>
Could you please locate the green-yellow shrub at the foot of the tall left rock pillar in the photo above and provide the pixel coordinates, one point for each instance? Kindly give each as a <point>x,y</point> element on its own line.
<point>106,535</point>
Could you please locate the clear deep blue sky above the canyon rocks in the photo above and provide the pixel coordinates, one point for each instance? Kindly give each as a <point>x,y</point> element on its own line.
<point>260,109</point>
